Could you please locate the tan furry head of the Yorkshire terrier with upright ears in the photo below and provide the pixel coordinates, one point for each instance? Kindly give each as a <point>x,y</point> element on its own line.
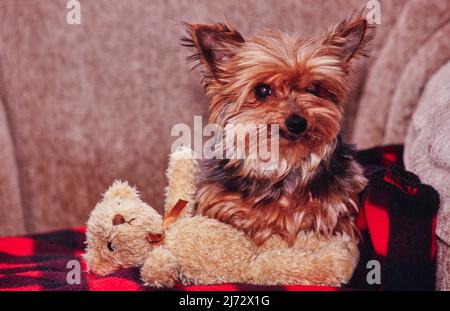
<point>299,84</point>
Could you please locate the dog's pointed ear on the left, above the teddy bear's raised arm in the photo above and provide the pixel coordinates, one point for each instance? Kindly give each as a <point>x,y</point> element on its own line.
<point>214,43</point>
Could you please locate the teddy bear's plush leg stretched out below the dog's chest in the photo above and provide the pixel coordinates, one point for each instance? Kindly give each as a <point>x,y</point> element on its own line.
<point>333,265</point>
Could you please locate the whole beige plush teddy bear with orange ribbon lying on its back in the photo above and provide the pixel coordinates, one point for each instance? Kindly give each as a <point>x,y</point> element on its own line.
<point>191,249</point>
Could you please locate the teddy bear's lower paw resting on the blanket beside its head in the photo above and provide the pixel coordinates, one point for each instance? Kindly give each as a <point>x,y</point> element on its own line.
<point>160,269</point>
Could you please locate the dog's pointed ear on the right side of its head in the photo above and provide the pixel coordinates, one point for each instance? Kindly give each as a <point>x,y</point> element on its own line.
<point>351,37</point>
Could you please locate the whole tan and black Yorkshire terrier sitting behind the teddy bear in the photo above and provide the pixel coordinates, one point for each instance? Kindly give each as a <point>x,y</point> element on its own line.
<point>300,84</point>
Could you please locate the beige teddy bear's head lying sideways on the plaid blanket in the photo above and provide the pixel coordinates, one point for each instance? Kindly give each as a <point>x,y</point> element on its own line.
<point>118,230</point>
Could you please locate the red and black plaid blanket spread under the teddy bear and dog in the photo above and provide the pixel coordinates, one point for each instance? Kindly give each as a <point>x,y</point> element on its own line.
<point>44,261</point>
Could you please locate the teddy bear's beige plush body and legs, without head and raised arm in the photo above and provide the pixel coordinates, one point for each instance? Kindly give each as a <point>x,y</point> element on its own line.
<point>200,250</point>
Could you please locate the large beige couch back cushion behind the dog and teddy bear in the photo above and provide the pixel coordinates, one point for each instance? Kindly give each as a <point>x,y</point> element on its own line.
<point>94,102</point>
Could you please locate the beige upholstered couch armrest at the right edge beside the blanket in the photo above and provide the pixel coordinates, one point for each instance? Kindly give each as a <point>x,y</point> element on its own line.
<point>427,154</point>
